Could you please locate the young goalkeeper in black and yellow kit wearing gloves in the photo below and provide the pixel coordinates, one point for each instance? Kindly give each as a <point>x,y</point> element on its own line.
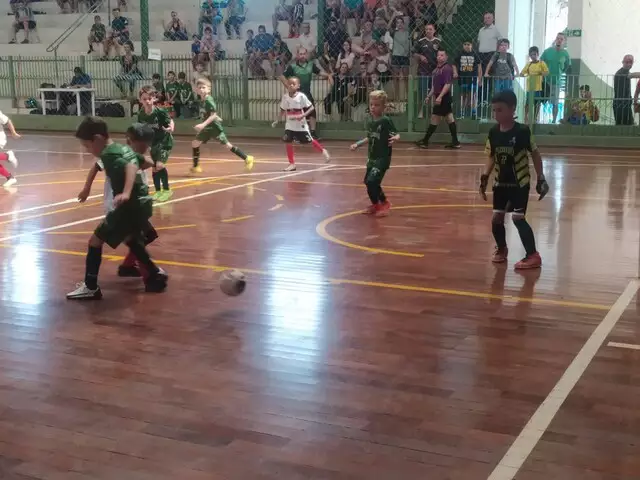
<point>508,147</point>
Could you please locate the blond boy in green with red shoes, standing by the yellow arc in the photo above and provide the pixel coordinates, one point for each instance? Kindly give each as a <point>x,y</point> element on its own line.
<point>381,135</point>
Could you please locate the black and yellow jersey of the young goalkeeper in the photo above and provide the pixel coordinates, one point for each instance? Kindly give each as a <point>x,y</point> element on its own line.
<point>510,152</point>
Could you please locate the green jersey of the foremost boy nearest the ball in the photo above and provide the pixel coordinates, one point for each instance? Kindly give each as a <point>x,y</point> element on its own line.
<point>114,159</point>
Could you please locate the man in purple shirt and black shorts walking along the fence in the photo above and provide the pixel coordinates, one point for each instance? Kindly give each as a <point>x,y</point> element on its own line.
<point>441,82</point>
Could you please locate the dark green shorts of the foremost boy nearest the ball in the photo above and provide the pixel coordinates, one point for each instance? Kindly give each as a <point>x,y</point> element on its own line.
<point>125,221</point>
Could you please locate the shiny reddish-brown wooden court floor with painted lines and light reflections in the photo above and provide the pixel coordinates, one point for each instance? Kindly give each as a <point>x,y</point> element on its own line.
<point>363,348</point>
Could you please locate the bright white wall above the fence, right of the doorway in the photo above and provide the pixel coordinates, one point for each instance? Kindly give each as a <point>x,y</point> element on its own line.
<point>610,30</point>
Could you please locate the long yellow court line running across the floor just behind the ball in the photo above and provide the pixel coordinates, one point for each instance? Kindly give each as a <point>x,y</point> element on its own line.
<point>361,283</point>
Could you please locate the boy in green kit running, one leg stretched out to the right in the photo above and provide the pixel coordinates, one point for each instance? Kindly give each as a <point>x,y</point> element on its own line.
<point>211,127</point>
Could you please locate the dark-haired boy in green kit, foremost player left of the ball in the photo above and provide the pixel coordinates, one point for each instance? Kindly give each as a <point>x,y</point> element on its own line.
<point>130,216</point>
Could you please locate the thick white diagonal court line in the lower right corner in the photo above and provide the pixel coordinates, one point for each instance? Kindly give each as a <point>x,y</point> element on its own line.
<point>530,435</point>
